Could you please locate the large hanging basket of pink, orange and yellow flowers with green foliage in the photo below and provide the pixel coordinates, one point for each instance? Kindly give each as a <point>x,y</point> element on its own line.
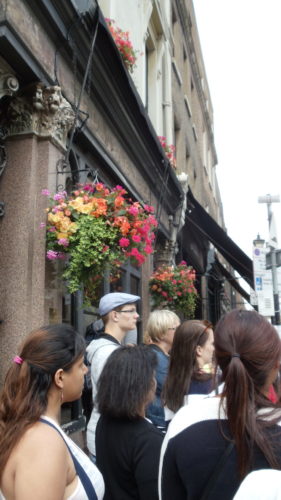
<point>94,230</point>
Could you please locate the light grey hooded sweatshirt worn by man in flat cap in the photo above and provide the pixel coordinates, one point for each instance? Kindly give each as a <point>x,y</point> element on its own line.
<point>98,351</point>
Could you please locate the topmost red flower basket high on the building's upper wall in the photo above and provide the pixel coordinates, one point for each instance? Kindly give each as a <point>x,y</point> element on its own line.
<point>124,44</point>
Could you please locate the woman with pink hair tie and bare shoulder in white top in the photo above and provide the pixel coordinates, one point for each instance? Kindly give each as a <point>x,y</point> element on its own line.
<point>37,459</point>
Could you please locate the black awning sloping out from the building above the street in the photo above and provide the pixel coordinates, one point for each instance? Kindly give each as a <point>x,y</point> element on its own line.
<point>197,216</point>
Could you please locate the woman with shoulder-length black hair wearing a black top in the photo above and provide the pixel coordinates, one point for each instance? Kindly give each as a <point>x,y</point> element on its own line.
<point>127,445</point>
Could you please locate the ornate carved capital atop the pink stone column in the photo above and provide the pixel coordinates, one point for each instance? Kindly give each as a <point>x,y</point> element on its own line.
<point>42,111</point>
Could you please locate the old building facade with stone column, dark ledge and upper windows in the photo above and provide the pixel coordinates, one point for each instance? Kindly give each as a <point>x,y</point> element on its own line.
<point>70,112</point>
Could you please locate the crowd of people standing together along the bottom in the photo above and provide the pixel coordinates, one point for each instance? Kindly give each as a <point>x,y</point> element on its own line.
<point>193,412</point>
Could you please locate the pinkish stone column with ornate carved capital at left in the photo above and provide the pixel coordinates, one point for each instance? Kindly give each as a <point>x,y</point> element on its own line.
<point>36,123</point>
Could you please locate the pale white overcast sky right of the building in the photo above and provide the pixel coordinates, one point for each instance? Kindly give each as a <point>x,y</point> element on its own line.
<point>241,46</point>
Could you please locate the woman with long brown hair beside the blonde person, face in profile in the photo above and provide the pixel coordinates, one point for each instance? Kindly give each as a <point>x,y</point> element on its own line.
<point>190,371</point>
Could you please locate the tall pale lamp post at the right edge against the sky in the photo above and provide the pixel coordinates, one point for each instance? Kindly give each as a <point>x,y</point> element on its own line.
<point>269,199</point>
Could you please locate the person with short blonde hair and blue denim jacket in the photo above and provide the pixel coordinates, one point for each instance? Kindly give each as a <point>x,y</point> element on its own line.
<point>160,331</point>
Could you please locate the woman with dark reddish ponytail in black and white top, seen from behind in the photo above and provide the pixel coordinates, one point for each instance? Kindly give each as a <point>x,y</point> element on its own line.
<point>213,444</point>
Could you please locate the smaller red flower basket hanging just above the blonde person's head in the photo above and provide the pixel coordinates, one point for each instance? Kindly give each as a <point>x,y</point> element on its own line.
<point>173,287</point>
